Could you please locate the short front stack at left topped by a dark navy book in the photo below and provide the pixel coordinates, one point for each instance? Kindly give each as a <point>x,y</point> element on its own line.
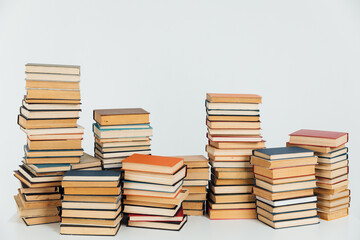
<point>92,203</point>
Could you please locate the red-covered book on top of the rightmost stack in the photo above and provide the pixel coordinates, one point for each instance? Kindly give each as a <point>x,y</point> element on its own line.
<point>319,138</point>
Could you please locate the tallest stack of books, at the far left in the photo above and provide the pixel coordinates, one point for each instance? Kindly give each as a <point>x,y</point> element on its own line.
<point>48,116</point>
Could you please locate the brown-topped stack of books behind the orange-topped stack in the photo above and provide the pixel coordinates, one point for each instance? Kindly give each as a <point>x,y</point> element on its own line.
<point>119,133</point>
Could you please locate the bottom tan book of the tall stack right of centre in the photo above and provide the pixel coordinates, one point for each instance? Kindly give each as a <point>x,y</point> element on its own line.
<point>232,214</point>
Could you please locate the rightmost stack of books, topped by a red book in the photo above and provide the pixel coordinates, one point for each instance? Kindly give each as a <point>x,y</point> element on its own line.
<point>332,170</point>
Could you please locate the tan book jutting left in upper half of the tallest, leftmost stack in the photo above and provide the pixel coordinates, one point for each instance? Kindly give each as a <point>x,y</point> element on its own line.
<point>46,123</point>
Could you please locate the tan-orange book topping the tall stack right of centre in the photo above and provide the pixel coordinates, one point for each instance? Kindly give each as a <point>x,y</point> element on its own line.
<point>233,98</point>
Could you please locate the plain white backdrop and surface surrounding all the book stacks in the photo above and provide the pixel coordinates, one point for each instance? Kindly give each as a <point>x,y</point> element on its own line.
<point>303,57</point>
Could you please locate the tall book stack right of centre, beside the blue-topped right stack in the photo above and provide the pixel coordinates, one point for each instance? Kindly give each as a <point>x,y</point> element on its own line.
<point>233,122</point>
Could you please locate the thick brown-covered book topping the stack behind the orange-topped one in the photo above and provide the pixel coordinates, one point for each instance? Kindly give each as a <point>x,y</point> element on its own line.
<point>121,116</point>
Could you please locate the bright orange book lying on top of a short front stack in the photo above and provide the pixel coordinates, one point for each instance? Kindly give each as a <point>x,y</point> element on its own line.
<point>151,163</point>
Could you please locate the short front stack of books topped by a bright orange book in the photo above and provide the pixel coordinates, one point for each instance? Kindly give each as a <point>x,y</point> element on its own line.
<point>153,191</point>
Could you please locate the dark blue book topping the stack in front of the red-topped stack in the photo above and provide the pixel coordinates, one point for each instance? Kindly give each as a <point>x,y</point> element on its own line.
<point>283,153</point>
